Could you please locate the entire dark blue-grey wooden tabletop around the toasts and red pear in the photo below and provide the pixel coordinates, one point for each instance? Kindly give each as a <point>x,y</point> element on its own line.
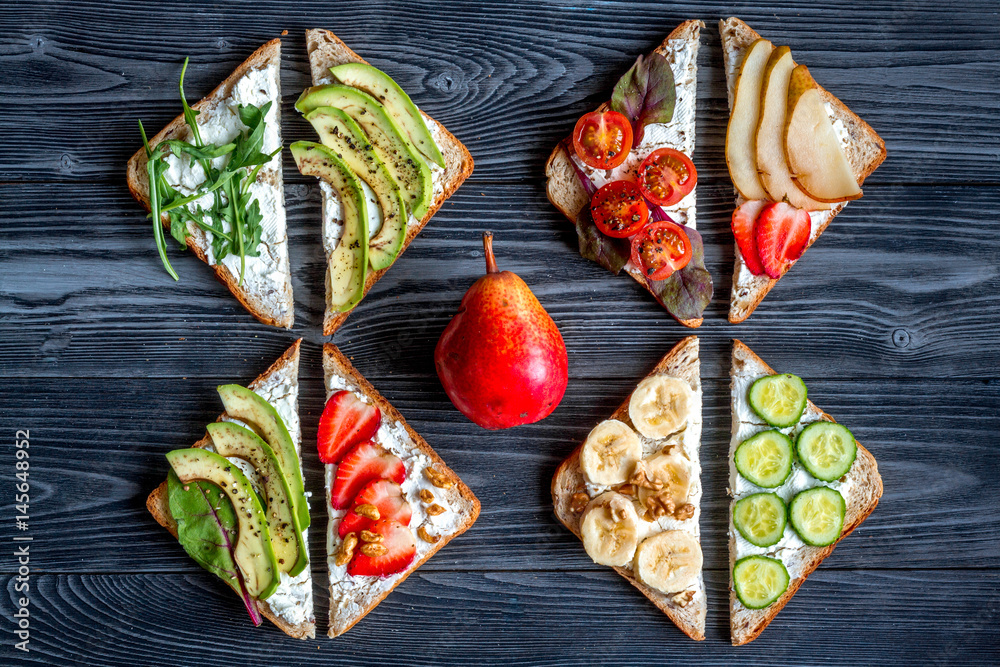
<point>892,319</point>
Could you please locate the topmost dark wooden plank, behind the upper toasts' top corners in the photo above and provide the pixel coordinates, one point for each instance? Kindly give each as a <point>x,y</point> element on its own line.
<point>506,83</point>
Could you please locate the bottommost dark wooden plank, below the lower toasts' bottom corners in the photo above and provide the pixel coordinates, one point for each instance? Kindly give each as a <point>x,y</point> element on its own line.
<point>430,610</point>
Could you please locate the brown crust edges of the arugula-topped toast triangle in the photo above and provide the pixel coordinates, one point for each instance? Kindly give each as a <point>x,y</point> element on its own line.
<point>138,185</point>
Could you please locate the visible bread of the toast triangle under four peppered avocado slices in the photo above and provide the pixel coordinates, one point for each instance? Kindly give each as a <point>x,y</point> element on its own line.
<point>326,50</point>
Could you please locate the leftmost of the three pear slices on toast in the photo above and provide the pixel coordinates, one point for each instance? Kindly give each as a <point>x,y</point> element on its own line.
<point>740,157</point>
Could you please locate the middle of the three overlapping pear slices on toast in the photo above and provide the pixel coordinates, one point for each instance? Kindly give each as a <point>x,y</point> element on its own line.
<point>769,146</point>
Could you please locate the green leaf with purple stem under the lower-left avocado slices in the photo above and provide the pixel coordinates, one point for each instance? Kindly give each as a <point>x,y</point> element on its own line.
<point>207,529</point>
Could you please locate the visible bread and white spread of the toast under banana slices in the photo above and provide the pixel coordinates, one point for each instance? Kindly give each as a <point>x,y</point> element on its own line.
<point>683,362</point>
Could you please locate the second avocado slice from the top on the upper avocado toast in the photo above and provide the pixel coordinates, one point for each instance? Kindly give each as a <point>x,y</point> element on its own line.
<point>390,144</point>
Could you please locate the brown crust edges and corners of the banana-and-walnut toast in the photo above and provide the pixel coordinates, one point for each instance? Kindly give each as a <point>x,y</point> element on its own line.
<point>681,361</point>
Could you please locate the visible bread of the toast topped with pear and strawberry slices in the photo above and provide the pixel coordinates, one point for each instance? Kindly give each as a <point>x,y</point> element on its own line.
<point>864,149</point>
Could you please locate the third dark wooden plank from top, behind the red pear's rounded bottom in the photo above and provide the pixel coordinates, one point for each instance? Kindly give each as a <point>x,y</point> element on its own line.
<point>938,470</point>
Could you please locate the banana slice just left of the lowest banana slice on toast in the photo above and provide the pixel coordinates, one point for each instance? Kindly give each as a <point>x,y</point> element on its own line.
<point>610,529</point>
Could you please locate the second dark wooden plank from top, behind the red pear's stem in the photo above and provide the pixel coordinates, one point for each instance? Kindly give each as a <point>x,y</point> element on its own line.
<point>75,304</point>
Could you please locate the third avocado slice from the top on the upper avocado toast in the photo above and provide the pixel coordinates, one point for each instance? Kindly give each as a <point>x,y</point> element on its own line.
<point>340,133</point>
